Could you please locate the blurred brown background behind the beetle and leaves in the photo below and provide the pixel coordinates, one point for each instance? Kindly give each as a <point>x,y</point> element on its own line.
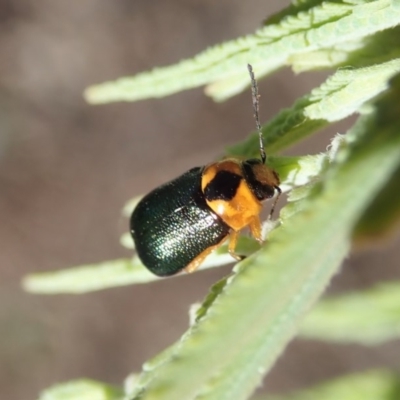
<point>66,169</point>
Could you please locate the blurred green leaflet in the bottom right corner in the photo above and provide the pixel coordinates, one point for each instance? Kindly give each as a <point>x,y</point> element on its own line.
<point>368,385</point>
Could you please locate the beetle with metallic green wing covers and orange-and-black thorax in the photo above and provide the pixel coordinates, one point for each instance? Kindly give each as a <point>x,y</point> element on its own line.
<point>179,223</point>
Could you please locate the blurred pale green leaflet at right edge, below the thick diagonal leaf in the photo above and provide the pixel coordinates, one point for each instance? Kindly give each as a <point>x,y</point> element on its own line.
<point>369,317</point>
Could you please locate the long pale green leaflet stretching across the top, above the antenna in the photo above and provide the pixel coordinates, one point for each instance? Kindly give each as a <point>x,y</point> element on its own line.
<point>302,28</point>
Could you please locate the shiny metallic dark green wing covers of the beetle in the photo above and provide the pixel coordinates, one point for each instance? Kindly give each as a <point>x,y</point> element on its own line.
<point>173,225</point>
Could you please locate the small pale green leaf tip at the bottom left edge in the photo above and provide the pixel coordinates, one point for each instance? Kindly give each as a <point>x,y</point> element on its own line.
<point>82,389</point>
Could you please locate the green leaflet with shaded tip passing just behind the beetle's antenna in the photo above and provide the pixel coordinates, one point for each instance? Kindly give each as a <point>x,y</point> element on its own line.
<point>341,95</point>
